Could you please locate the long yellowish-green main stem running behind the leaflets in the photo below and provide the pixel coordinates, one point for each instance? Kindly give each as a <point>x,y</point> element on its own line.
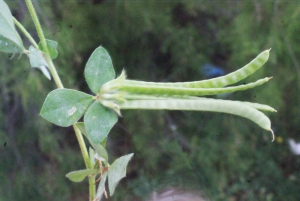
<point>59,84</point>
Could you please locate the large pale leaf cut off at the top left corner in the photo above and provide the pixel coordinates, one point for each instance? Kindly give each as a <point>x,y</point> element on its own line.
<point>10,40</point>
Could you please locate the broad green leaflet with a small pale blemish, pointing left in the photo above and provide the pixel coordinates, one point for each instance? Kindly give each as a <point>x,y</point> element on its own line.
<point>64,107</point>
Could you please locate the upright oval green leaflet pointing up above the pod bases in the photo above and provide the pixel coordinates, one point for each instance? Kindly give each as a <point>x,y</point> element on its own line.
<point>99,69</point>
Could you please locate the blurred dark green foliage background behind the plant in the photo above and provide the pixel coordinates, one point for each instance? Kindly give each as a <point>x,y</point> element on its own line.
<point>222,156</point>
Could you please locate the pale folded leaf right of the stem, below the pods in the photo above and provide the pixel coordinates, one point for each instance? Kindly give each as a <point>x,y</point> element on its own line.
<point>117,171</point>
